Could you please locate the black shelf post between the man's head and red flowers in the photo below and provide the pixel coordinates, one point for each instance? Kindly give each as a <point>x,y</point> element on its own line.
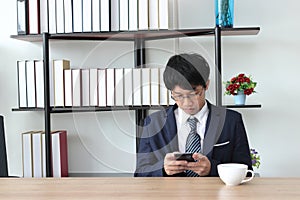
<point>218,66</point>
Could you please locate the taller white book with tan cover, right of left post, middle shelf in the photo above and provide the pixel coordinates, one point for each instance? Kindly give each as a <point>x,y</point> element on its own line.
<point>58,76</point>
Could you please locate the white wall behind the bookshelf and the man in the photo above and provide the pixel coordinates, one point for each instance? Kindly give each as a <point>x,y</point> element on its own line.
<point>104,142</point>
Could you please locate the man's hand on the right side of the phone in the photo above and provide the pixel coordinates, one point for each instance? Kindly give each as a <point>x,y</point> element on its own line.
<point>201,167</point>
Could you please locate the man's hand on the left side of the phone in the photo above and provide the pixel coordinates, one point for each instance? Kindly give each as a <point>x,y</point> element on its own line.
<point>173,166</point>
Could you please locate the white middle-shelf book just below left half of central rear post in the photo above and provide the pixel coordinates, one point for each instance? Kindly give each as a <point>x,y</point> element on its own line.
<point>137,86</point>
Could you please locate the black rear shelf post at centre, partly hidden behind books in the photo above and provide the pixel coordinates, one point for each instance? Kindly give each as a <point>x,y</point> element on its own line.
<point>139,62</point>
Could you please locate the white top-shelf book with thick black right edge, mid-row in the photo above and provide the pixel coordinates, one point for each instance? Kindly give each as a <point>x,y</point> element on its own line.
<point>105,15</point>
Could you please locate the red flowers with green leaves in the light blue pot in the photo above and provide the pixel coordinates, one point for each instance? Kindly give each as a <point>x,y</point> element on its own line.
<point>240,82</point>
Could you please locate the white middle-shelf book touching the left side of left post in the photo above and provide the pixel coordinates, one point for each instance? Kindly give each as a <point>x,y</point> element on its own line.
<point>39,83</point>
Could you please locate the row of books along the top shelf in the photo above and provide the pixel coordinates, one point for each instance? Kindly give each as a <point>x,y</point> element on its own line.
<point>68,16</point>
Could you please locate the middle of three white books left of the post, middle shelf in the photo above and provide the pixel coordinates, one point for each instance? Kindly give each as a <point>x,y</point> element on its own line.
<point>30,82</point>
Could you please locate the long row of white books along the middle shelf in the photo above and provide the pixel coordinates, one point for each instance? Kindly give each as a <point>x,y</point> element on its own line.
<point>94,87</point>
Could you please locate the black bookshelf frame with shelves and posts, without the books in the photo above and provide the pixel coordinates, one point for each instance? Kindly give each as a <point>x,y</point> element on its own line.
<point>139,38</point>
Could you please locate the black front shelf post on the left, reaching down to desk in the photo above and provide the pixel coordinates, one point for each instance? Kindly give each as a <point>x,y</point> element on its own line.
<point>47,105</point>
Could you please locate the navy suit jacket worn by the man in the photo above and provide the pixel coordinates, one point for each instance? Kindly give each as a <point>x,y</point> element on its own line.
<point>225,140</point>
